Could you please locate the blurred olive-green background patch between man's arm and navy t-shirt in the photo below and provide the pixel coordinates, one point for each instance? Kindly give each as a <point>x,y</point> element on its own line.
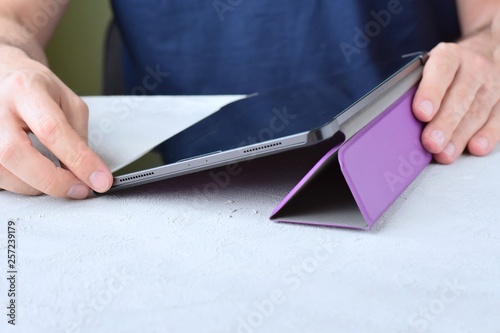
<point>76,51</point>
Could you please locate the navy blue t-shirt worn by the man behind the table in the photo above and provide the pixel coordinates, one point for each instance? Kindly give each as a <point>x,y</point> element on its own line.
<point>246,46</point>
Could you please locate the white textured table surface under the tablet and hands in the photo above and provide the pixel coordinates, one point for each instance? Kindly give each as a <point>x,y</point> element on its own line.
<point>182,255</point>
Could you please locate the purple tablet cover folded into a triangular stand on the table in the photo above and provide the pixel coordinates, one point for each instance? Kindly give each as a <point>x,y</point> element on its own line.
<point>356,181</point>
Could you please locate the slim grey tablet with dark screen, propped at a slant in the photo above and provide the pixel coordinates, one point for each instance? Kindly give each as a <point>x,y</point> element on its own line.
<point>302,113</point>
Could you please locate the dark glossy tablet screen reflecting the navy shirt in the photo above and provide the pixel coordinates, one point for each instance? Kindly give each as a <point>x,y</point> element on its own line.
<point>296,108</point>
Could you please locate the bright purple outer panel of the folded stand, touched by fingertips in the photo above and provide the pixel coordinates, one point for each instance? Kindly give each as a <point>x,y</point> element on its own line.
<point>381,160</point>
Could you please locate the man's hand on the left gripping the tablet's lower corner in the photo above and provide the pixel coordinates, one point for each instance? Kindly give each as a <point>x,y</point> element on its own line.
<point>33,99</point>
